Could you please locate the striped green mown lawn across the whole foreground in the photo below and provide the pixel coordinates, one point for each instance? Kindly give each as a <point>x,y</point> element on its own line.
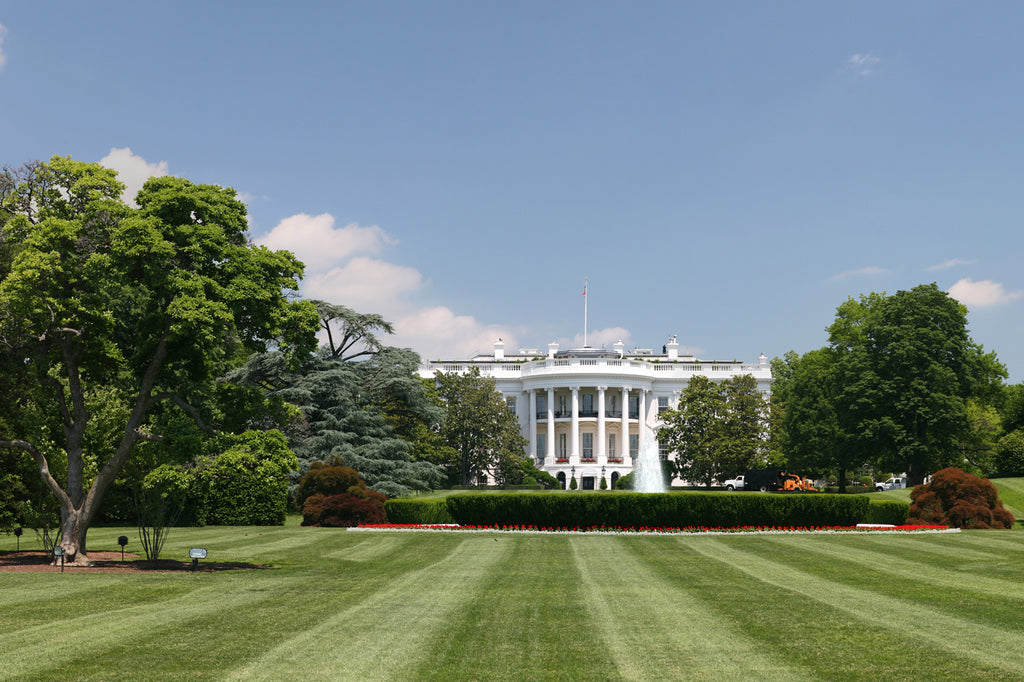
<point>347,606</point>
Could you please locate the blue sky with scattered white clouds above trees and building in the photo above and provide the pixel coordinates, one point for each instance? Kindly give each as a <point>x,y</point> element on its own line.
<point>729,173</point>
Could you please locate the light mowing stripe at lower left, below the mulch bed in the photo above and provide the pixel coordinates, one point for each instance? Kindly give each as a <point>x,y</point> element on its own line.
<point>68,638</point>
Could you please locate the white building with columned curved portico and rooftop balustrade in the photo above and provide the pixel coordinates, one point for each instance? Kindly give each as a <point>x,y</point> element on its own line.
<point>586,412</point>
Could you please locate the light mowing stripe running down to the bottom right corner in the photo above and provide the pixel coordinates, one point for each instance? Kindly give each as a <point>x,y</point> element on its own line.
<point>986,645</point>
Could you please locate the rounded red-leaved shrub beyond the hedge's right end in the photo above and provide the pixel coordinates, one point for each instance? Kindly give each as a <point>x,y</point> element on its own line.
<point>961,500</point>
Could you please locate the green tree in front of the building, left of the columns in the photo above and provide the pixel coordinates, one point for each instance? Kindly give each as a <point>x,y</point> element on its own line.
<point>481,429</point>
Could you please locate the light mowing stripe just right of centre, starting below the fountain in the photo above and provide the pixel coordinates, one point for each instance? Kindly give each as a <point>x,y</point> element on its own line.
<point>624,592</point>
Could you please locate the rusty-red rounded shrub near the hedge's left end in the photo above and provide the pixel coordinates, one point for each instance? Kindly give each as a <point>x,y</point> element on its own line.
<point>332,495</point>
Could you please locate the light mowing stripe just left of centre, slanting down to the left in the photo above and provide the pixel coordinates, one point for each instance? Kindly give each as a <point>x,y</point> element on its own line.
<point>383,636</point>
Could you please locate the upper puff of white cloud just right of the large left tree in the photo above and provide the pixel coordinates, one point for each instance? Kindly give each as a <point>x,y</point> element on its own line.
<point>320,245</point>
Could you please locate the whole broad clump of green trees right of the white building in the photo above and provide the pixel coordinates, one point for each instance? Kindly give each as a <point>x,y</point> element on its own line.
<point>892,390</point>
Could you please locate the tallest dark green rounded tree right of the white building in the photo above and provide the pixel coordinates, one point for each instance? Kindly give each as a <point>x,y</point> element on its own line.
<point>908,368</point>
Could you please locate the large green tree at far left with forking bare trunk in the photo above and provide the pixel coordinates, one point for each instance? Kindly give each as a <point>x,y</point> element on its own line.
<point>146,306</point>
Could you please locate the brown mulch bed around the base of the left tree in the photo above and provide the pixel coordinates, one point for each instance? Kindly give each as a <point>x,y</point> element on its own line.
<point>110,563</point>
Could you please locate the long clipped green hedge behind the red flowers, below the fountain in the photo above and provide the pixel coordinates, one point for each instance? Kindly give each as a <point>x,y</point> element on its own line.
<point>657,510</point>
